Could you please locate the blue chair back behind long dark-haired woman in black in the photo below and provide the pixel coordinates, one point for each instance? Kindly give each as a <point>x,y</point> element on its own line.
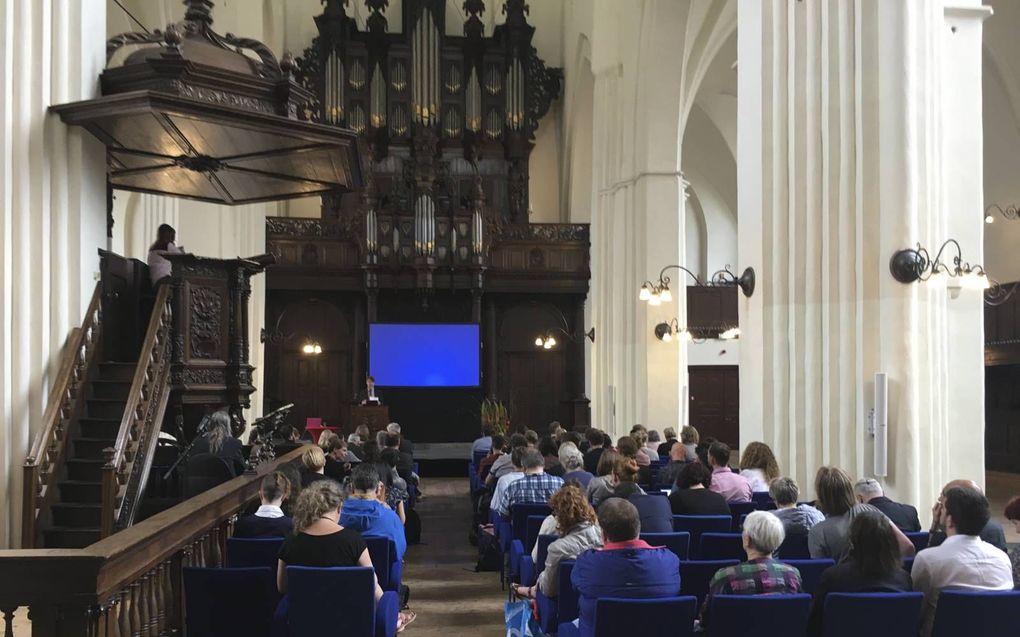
<point>852,615</point>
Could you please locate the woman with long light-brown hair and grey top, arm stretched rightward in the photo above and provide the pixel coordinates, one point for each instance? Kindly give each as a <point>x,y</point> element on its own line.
<point>829,539</point>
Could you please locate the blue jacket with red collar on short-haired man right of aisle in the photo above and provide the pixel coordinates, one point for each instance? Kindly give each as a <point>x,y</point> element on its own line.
<point>627,572</point>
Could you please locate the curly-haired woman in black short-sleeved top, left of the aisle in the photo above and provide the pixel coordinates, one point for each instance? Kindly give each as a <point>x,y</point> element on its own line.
<point>320,540</point>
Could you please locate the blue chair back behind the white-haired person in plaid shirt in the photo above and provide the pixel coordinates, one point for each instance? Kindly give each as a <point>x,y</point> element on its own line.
<point>759,616</point>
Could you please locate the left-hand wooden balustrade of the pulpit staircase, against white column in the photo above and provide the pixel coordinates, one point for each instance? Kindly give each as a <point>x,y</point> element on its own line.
<point>66,404</point>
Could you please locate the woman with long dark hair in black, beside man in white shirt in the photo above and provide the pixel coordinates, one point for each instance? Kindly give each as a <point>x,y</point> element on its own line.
<point>874,565</point>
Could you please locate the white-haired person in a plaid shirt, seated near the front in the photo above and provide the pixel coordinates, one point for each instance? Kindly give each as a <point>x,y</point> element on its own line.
<point>760,575</point>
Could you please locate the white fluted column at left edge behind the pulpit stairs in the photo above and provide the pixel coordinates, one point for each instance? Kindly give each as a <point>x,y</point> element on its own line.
<point>54,206</point>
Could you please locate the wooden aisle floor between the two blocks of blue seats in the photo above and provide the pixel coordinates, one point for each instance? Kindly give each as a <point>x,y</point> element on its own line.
<point>449,597</point>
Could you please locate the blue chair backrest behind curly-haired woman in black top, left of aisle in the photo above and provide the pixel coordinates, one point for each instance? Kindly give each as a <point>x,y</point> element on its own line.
<point>323,597</point>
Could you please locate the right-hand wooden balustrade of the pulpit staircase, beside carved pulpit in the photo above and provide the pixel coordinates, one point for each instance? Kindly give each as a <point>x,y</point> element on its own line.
<point>126,470</point>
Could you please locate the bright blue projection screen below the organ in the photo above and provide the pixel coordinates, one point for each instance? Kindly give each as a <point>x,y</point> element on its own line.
<point>404,355</point>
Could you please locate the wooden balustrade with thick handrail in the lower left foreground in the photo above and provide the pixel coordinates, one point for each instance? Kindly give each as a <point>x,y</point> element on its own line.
<point>129,585</point>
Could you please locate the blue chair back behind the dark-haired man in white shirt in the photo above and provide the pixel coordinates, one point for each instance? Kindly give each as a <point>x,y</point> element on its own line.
<point>977,614</point>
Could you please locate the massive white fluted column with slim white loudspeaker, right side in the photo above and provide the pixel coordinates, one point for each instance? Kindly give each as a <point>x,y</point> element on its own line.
<point>858,157</point>
